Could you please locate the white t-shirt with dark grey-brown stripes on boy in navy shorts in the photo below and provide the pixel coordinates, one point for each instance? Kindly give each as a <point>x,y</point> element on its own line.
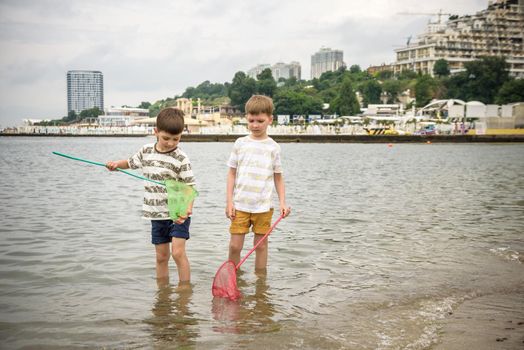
<point>160,166</point>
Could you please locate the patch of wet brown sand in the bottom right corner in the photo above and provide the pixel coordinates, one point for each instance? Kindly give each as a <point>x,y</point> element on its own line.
<point>487,322</point>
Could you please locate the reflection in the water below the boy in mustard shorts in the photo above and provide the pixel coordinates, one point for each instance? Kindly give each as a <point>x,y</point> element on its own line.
<point>250,314</point>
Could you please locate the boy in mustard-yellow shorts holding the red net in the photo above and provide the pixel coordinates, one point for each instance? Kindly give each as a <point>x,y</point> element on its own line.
<point>254,169</point>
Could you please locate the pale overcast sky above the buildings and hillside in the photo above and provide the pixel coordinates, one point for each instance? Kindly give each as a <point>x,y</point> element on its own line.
<point>150,50</point>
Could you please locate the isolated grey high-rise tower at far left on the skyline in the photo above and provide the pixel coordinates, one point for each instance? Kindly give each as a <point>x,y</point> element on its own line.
<point>85,90</point>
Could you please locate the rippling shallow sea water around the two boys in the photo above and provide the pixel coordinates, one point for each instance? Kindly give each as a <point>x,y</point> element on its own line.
<point>382,245</point>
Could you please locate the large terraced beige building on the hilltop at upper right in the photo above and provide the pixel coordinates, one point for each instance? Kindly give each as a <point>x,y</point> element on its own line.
<point>497,30</point>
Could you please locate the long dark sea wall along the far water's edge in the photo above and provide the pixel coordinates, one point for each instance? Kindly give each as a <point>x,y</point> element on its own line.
<point>304,138</point>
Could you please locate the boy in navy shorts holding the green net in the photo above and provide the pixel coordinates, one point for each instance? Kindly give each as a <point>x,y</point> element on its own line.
<point>161,161</point>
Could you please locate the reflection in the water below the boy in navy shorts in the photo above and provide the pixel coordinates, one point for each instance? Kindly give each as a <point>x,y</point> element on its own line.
<point>172,322</point>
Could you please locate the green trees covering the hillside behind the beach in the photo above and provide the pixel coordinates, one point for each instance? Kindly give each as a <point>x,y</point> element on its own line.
<point>486,80</point>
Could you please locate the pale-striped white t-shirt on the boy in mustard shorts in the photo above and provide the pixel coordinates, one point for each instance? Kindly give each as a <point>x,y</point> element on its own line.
<point>255,162</point>
